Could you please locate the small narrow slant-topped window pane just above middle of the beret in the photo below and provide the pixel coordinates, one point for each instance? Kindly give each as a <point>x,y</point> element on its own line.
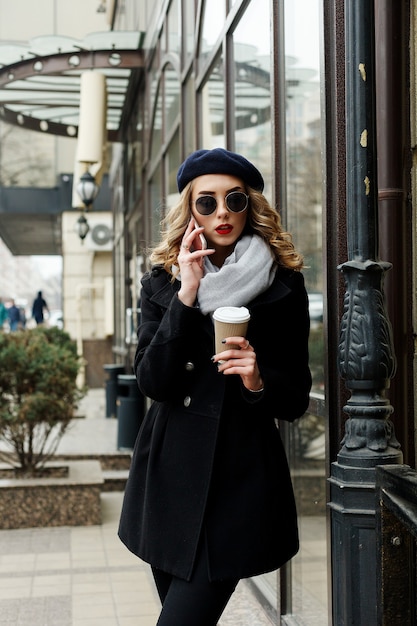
<point>213,109</point>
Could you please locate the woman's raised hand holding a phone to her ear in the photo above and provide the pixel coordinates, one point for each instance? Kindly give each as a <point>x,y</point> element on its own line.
<point>190,261</point>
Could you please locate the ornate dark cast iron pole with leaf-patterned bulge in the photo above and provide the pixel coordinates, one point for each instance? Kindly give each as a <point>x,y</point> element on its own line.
<point>366,355</point>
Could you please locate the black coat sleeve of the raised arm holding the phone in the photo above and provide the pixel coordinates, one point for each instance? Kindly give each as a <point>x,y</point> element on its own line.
<point>162,340</point>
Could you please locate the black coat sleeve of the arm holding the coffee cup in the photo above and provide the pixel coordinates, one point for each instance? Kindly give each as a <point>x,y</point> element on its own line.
<point>281,345</point>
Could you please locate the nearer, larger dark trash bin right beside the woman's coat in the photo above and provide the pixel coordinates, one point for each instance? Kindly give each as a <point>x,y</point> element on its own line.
<point>130,407</point>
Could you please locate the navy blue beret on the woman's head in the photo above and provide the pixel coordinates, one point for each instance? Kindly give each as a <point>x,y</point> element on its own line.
<point>219,161</point>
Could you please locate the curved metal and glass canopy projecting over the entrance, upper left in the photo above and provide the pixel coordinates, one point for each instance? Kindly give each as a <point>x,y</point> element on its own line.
<point>40,82</point>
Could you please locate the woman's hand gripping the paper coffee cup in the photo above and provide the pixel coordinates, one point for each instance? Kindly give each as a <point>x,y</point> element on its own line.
<point>240,361</point>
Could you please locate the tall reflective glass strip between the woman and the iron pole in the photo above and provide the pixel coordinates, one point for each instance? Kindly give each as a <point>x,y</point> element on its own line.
<point>306,437</point>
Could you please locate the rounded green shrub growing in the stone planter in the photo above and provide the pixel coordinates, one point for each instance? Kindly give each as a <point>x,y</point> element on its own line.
<point>38,394</point>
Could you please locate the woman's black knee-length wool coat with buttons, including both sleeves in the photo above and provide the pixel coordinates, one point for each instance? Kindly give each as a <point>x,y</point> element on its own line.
<point>208,462</point>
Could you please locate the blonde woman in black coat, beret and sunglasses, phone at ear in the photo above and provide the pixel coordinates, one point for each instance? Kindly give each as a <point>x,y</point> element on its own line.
<point>209,498</point>
